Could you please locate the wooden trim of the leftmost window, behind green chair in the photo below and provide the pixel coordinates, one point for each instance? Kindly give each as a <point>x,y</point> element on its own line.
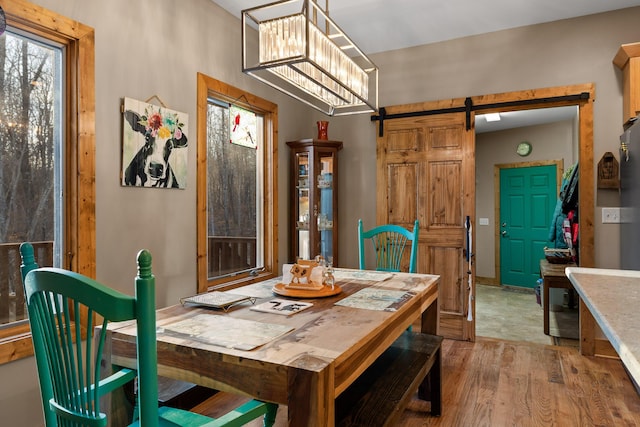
<point>79,140</point>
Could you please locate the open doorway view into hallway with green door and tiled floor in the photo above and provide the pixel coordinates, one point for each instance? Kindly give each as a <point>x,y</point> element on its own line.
<point>554,145</point>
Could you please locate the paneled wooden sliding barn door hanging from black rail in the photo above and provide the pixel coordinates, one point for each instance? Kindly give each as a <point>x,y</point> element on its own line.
<point>426,170</point>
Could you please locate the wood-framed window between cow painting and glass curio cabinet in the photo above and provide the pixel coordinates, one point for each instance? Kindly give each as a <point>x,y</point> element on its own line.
<point>237,191</point>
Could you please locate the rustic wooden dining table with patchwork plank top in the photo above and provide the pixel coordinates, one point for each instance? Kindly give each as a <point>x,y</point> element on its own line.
<point>303,360</point>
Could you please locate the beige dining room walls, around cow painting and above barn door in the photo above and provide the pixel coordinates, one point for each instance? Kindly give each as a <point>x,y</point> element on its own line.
<point>151,47</point>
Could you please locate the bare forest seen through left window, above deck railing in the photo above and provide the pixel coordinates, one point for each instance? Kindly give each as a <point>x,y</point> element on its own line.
<point>29,111</point>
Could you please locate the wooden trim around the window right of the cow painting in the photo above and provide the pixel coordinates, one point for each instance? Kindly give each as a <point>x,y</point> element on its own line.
<point>210,87</point>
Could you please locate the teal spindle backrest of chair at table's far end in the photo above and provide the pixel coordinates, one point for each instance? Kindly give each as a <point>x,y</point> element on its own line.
<point>389,243</point>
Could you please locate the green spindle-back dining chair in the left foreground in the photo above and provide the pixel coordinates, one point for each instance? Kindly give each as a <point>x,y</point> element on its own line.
<point>62,306</point>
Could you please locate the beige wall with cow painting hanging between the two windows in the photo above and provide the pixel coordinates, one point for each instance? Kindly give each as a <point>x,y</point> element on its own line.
<point>145,48</point>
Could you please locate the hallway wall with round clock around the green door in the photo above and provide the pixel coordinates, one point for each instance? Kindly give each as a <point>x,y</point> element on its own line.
<point>552,141</point>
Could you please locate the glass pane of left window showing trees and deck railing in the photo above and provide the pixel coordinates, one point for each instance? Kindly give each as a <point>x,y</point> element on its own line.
<point>30,165</point>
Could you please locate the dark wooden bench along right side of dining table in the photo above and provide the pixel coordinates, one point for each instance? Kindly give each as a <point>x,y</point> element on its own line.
<point>380,395</point>
